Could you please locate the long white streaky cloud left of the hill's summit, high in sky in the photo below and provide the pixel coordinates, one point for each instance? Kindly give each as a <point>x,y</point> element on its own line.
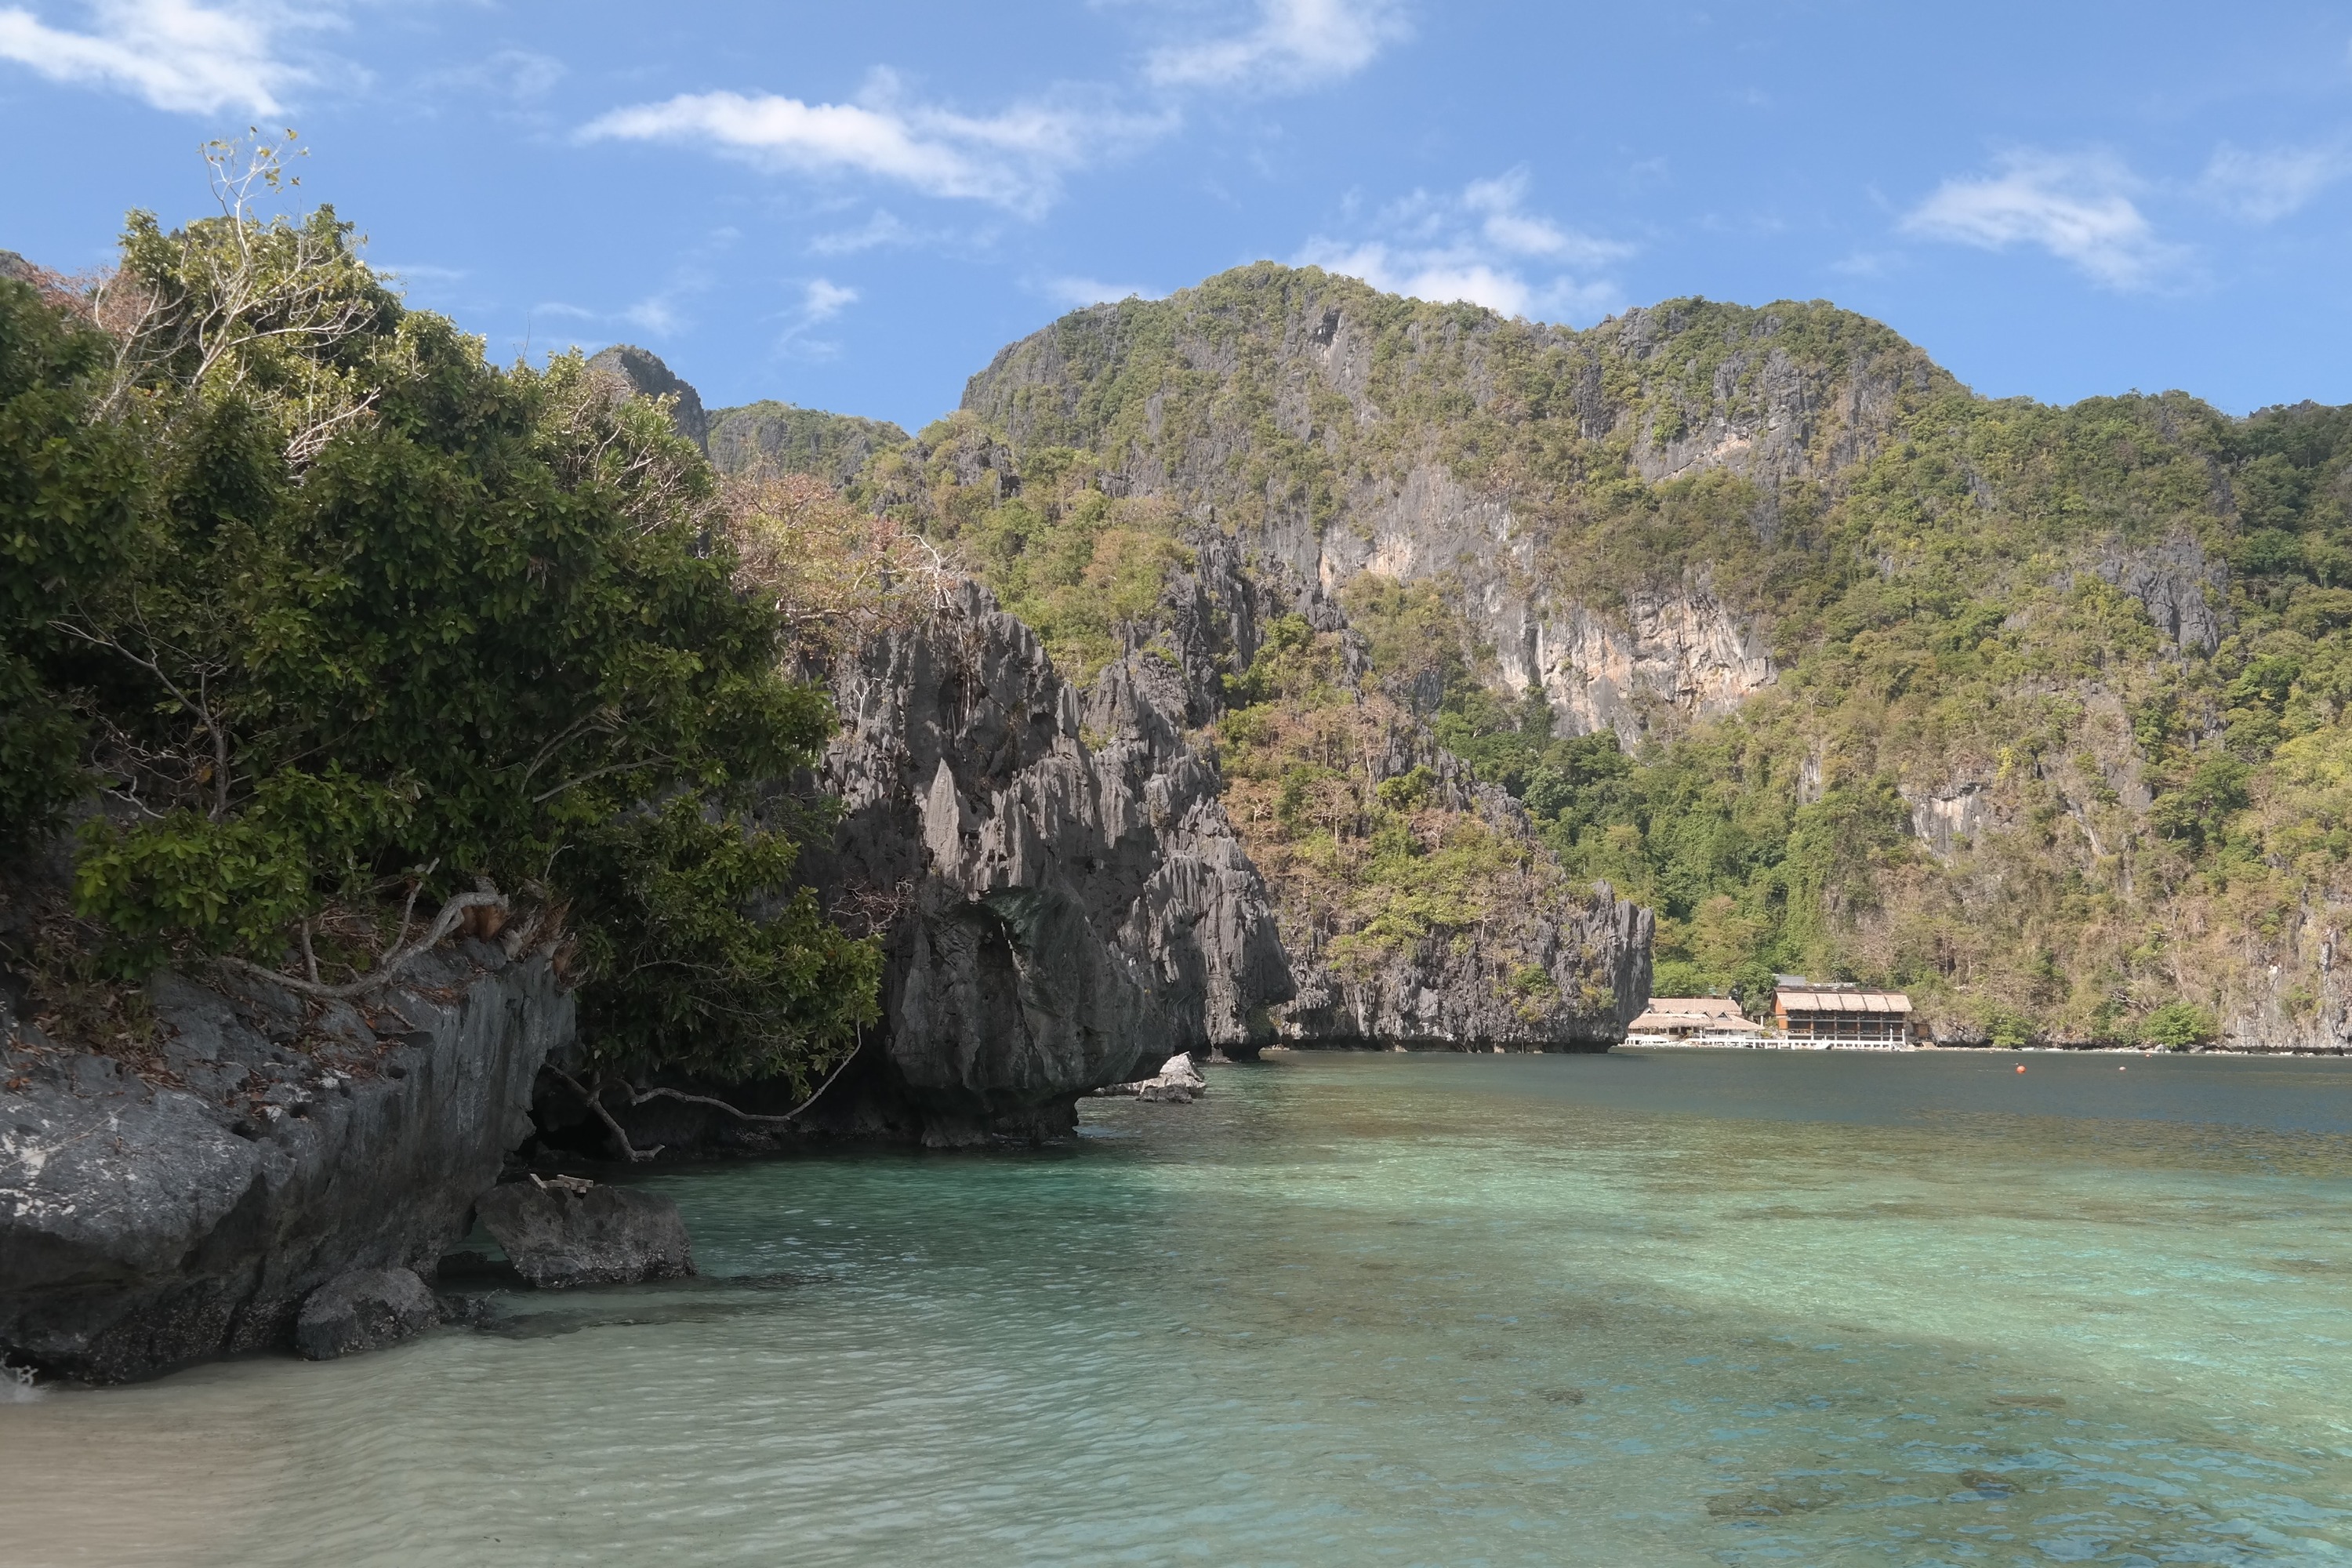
<point>1015,159</point>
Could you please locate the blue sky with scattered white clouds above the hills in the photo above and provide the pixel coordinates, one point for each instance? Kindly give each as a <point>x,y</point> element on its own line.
<point>857,206</point>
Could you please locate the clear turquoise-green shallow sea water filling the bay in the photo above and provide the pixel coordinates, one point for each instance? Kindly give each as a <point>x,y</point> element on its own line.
<point>1673,1308</point>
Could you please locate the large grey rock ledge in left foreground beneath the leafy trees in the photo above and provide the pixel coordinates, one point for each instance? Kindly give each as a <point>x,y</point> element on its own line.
<point>145,1226</point>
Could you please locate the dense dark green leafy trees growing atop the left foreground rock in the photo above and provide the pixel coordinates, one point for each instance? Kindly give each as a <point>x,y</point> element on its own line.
<point>347,610</point>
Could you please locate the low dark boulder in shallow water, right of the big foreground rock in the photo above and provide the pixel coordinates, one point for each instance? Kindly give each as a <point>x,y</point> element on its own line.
<point>587,1233</point>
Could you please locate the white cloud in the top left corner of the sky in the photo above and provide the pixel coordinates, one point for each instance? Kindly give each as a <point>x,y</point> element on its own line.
<point>178,55</point>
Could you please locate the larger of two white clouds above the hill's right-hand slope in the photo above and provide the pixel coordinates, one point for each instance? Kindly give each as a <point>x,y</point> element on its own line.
<point>2076,208</point>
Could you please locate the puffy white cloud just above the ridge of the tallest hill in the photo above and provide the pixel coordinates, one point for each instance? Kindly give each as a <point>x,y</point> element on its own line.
<point>1478,248</point>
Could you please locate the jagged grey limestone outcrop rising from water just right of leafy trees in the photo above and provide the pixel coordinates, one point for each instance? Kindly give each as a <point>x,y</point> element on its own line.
<point>1055,883</point>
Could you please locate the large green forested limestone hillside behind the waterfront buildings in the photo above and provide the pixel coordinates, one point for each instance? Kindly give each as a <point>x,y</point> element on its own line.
<point>2038,713</point>
